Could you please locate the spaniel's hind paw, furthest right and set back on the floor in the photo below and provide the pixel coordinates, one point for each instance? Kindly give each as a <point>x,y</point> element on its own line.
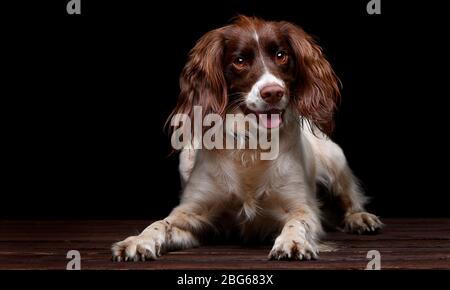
<point>362,222</point>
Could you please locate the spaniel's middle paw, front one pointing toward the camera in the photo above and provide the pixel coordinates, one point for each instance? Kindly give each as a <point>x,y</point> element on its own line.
<point>288,248</point>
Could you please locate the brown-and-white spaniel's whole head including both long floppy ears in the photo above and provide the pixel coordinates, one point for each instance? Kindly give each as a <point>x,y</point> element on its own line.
<point>257,66</point>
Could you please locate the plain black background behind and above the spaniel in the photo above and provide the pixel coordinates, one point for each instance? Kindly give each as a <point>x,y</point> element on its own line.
<point>85,98</point>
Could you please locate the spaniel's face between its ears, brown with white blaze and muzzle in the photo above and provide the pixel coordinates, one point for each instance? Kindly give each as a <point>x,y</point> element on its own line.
<point>259,71</point>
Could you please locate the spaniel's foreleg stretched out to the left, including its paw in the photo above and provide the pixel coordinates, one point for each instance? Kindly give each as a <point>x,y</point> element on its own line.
<point>177,231</point>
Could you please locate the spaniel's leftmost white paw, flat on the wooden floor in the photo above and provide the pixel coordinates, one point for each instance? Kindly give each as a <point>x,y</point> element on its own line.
<point>136,248</point>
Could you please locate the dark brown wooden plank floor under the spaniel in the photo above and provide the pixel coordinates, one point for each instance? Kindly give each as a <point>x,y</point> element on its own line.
<point>403,244</point>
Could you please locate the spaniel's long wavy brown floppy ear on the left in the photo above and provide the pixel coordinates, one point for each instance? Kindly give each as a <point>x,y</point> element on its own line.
<point>202,81</point>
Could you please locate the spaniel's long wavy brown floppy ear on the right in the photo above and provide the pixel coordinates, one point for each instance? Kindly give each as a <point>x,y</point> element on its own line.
<point>317,86</point>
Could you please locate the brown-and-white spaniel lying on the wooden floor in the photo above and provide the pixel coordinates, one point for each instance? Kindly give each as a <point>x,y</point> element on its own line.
<point>259,67</point>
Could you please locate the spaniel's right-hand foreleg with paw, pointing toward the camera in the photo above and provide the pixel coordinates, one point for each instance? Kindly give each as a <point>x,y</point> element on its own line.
<point>299,238</point>
